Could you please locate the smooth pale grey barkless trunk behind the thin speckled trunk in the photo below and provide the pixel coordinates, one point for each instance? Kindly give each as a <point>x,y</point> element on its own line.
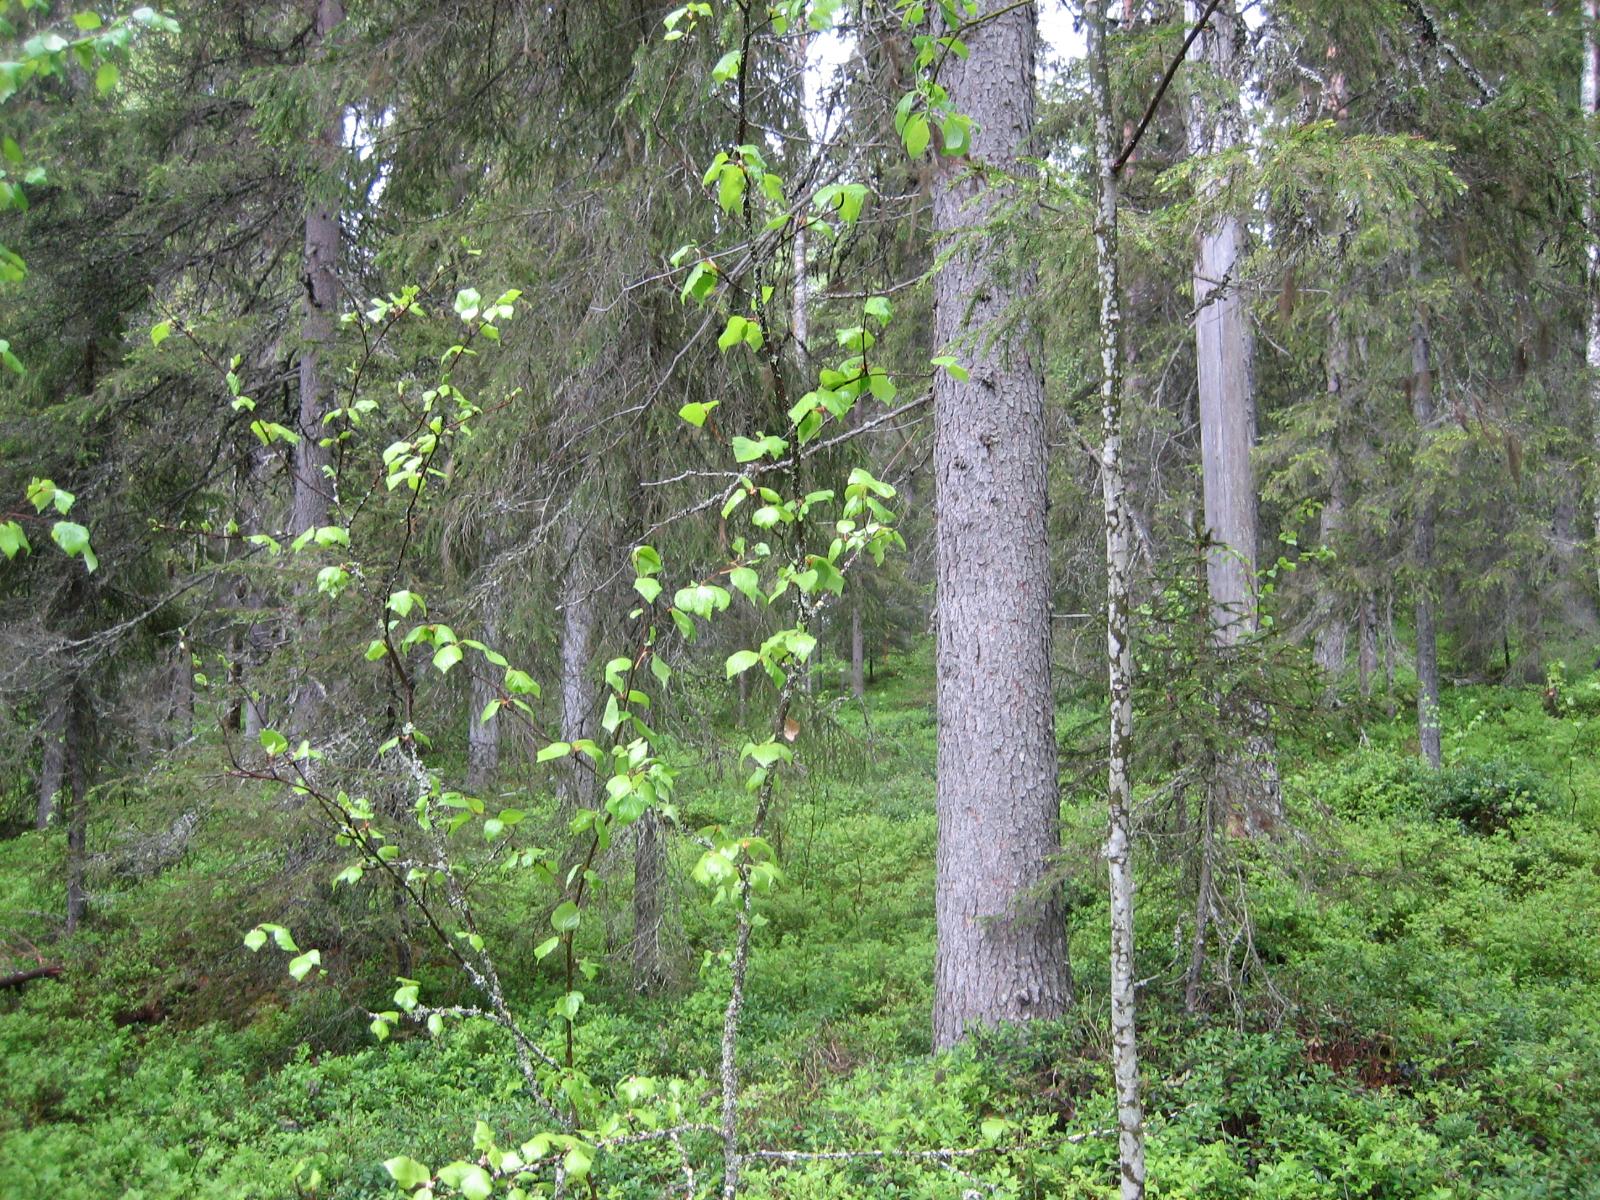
<point>1228,418</point>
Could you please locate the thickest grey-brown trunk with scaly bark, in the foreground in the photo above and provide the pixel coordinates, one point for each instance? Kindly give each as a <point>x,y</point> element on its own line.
<point>1002,953</point>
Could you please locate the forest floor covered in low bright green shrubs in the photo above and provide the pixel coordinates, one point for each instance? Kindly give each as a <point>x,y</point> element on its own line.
<point>1420,1015</point>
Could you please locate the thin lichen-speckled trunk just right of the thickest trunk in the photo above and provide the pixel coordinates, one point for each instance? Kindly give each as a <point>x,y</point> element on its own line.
<point>1119,630</point>
